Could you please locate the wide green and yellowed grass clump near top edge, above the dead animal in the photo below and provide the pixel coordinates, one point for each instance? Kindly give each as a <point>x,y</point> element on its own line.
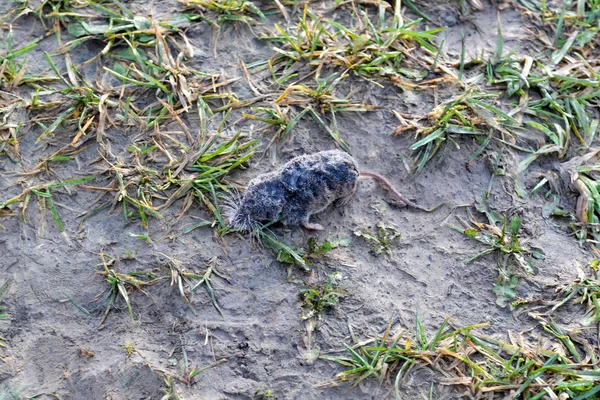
<point>371,50</point>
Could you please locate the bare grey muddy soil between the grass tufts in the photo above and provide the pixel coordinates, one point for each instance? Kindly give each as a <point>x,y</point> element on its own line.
<point>260,336</point>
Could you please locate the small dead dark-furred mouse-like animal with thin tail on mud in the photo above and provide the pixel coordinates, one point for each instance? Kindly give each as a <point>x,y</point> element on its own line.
<point>304,186</point>
